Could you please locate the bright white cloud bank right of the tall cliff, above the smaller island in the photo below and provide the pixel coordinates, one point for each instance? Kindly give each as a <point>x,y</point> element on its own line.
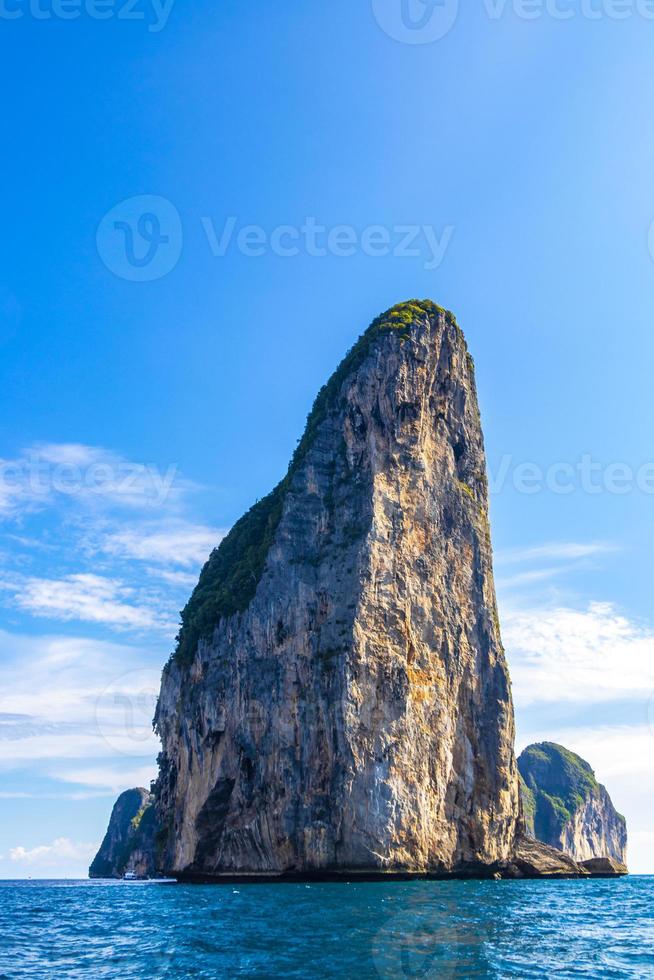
<point>583,676</point>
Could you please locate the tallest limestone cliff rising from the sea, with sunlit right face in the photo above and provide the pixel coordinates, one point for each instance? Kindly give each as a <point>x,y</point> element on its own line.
<point>340,699</point>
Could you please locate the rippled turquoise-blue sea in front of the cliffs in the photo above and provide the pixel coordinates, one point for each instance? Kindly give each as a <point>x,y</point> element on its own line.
<point>416,929</point>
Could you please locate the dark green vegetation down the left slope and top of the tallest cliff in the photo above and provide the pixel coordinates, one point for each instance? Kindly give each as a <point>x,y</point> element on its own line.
<point>230,577</point>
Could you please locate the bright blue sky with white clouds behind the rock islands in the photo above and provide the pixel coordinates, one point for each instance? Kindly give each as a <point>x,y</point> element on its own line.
<point>146,404</point>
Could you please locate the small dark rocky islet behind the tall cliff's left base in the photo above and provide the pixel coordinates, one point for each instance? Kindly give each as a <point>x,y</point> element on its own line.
<point>129,843</point>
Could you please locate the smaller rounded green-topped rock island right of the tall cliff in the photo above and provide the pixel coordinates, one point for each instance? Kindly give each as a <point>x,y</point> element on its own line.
<point>567,808</point>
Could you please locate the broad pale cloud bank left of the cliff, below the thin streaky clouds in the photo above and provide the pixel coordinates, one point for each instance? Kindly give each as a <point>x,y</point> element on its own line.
<point>67,698</point>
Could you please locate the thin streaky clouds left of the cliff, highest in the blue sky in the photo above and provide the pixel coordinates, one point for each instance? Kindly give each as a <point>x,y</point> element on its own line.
<point>71,556</point>
